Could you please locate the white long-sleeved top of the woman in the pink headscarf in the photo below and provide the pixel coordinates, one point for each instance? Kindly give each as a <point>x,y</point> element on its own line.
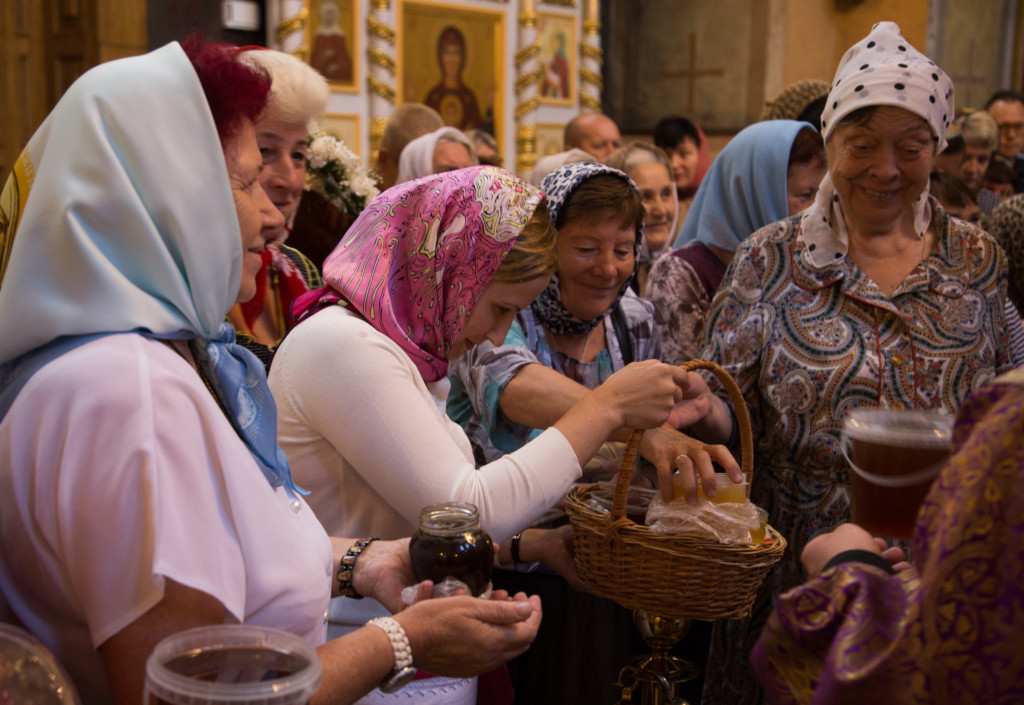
<point>369,438</point>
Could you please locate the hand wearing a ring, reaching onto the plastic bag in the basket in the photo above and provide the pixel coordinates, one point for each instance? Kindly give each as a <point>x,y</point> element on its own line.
<point>669,449</point>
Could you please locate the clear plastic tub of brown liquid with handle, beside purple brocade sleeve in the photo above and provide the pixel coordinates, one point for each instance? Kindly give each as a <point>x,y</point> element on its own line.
<point>894,458</point>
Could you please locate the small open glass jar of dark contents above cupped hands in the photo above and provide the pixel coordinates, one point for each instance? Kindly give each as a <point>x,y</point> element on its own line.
<point>451,544</point>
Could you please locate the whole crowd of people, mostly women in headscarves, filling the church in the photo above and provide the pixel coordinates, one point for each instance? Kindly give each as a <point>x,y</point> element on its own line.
<point>200,424</point>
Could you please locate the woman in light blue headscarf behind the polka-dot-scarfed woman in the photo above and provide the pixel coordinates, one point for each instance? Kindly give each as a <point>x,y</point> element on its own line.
<point>770,171</point>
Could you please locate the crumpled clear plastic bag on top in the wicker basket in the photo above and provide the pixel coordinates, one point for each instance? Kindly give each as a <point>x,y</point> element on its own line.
<point>729,523</point>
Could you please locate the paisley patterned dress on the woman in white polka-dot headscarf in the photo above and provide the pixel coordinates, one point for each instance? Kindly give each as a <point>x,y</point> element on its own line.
<point>808,345</point>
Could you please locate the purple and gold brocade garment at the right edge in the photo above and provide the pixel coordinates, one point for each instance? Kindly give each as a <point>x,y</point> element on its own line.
<point>948,631</point>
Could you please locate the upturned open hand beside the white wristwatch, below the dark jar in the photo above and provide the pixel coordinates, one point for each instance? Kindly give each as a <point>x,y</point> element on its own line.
<point>466,637</point>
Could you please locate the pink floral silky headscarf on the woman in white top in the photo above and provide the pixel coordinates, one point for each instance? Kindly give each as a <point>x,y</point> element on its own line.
<point>416,261</point>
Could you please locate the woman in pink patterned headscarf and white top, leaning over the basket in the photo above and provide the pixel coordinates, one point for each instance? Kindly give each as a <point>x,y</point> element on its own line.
<point>431,269</point>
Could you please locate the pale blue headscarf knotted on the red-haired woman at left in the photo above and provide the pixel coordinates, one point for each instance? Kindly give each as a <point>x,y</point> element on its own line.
<point>119,218</point>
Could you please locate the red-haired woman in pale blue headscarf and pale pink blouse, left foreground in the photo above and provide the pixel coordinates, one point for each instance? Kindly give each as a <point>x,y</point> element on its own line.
<point>142,487</point>
